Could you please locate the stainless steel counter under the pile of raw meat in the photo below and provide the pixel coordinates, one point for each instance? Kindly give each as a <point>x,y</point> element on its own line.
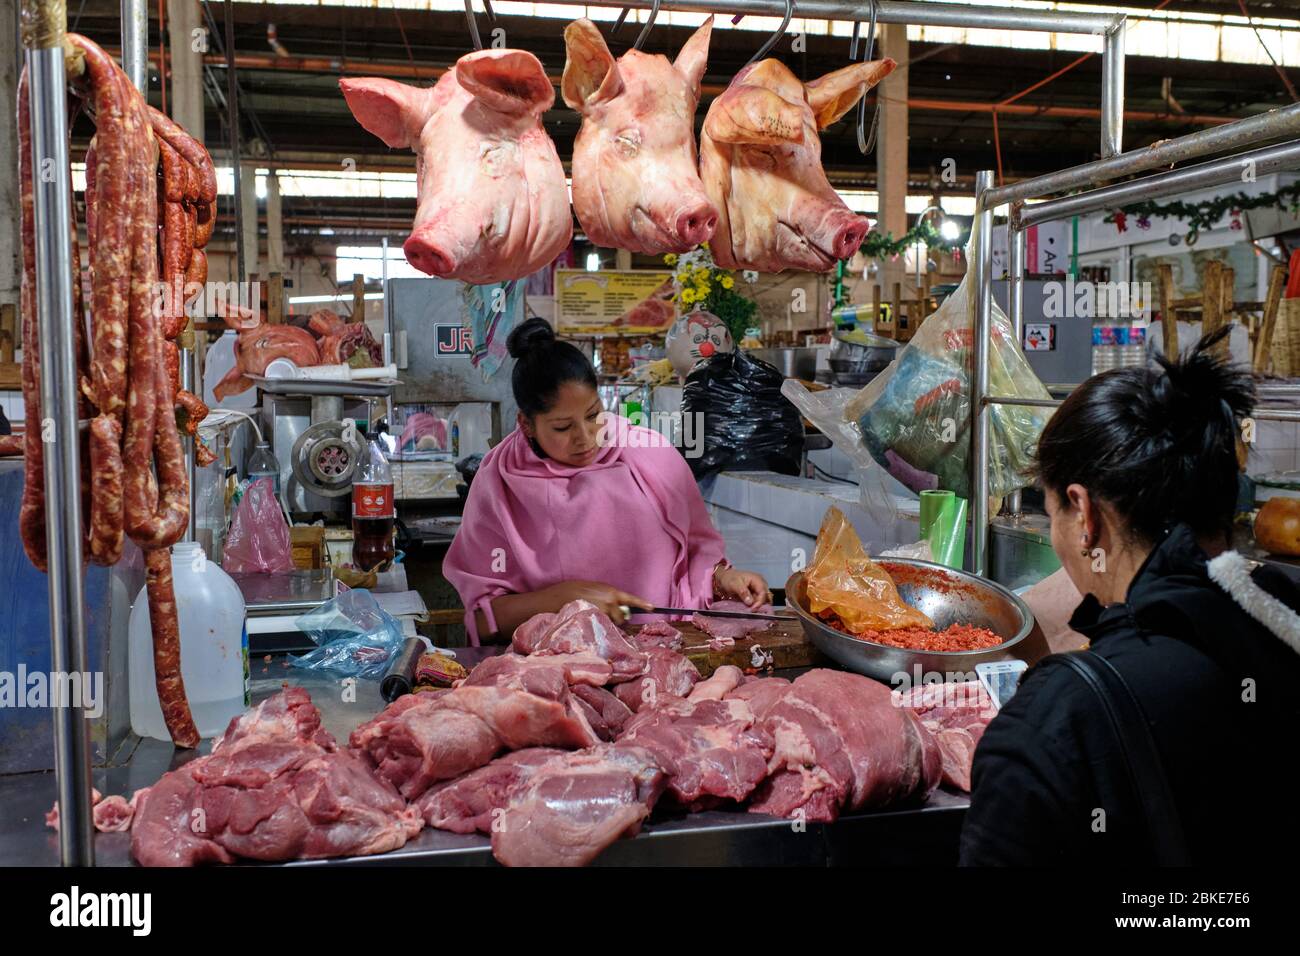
<point>922,834</point>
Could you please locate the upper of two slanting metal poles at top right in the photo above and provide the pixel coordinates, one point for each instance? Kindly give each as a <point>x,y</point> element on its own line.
<point>1234,136</point>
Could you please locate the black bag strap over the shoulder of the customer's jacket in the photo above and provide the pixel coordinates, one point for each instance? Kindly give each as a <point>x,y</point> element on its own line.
<point>1138,747</point>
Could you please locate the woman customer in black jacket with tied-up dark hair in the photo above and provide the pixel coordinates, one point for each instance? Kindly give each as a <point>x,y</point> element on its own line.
<point>1139,470</point>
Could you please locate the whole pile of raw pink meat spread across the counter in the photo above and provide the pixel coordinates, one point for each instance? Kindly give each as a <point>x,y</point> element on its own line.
<point>554,750</point>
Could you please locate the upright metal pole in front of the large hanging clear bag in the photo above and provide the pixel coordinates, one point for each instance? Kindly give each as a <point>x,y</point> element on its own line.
<point>983,306</point>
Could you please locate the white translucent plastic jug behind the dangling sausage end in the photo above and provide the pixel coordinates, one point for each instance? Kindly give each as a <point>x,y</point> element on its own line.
<point>214,648</point>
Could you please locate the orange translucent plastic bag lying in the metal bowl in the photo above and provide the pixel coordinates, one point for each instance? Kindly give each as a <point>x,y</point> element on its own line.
<point>843,579</point>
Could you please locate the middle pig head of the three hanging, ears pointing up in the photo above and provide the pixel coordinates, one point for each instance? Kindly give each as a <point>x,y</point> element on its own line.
<point>636,185</point>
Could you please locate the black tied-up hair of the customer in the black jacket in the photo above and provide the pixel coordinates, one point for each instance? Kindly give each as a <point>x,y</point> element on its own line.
<point>1158,444</point>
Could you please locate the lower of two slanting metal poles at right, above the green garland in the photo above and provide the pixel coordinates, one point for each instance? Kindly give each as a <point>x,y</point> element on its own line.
<point>1216,174</point>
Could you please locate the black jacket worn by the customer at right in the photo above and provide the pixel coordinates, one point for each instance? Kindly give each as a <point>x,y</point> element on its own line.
<point>1220,693</point>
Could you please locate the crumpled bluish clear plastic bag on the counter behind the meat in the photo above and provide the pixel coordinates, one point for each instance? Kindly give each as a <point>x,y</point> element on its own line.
<point>356,638</point>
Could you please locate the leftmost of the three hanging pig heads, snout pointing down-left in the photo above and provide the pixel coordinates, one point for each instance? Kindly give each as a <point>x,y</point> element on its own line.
<point>492,204</point>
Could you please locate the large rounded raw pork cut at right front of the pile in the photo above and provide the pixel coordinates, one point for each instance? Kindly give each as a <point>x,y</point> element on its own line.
<point>842,745</point>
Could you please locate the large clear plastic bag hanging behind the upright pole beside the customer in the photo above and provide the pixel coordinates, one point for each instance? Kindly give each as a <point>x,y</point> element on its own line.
<point>915,418</point>
